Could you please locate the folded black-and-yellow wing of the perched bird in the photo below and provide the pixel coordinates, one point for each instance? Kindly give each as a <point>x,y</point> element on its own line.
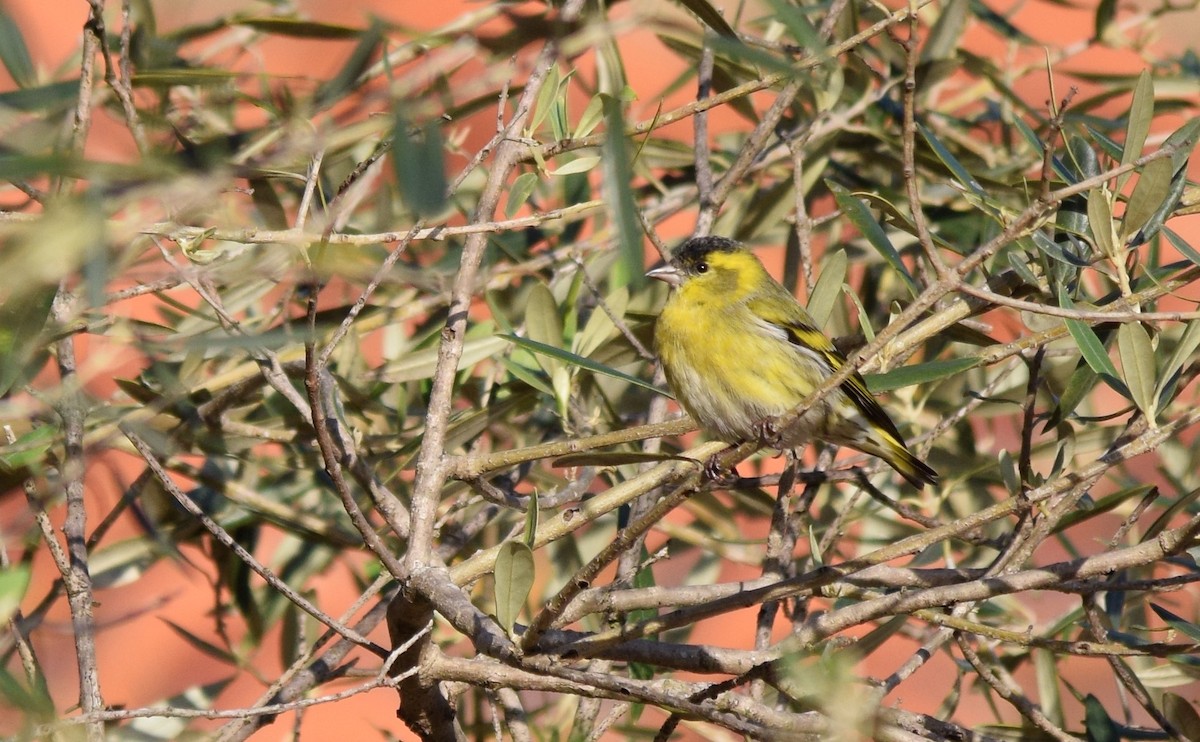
<point>789,318</point>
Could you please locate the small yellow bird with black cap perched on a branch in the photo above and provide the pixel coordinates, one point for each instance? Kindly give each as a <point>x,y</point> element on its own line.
<point>740,351</point>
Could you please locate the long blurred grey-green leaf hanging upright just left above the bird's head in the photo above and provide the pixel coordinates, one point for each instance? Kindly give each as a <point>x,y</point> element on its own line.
<point>619,175</point>
